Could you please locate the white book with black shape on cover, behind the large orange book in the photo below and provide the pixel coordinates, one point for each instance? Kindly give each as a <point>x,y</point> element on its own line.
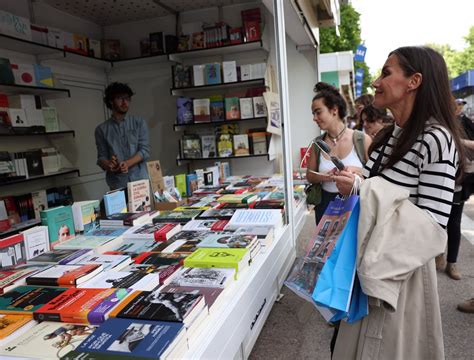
<point>123,280</point>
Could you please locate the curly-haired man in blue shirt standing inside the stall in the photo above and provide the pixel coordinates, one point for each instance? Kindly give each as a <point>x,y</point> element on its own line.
<point>122,141</point>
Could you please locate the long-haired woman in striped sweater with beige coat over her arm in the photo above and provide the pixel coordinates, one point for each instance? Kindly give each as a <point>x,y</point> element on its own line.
<point>421,153</point>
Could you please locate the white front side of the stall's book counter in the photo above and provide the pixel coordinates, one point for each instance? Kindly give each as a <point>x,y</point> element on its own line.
<point>239,321</point>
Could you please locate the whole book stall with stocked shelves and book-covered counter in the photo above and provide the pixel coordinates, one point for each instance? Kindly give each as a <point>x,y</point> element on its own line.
<point>188,262</point>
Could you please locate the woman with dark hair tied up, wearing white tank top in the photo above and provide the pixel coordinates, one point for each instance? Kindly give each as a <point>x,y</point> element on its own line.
<point>329,110</point>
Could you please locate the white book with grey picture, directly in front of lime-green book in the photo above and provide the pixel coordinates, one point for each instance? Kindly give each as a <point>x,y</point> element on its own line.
<point>204,277</point>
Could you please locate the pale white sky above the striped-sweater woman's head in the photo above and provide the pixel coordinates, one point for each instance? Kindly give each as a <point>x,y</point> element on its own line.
<point>389,24</point>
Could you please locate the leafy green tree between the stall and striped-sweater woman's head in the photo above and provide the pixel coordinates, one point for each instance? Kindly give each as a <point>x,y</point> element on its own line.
<point>348,40</point>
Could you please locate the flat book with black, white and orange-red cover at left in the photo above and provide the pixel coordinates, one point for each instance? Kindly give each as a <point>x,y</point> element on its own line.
<point>64,275</point>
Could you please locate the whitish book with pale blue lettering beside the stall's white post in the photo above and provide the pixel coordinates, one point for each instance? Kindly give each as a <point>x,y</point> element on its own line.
<point>255,217</point>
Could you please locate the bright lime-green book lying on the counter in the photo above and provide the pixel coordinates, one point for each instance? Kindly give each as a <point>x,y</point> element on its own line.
<point>237,259</point>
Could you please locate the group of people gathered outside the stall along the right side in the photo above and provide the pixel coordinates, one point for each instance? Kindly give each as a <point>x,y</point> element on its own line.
<point>417,140</point>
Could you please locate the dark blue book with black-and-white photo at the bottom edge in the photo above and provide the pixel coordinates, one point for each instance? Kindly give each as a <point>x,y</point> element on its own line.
<point>148,339</point>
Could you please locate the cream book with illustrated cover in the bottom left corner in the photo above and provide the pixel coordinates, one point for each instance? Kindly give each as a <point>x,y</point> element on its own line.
<point>48,340</point>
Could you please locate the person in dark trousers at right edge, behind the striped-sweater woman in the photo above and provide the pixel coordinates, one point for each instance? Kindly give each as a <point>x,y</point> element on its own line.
<point>461,194</point>
